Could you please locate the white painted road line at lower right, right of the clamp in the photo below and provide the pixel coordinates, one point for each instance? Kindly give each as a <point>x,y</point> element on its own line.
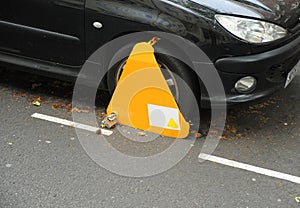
<point>243,166</point>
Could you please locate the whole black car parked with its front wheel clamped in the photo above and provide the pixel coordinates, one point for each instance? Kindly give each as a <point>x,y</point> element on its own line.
<point>254,44</point>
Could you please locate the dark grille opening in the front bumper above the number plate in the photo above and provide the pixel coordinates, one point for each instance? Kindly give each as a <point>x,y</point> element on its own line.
<point>278,72</point>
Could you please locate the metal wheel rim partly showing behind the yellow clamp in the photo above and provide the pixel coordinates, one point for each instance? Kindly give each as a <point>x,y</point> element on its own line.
<point>167,73</point>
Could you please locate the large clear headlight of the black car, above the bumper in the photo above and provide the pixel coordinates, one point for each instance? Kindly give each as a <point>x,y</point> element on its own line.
<point>253,31</point>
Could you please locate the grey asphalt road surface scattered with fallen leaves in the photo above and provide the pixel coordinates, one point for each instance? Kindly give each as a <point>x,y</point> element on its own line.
<point>43,164</point>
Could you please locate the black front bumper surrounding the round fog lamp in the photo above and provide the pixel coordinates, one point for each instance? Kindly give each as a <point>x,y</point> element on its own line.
<point>269,68</point>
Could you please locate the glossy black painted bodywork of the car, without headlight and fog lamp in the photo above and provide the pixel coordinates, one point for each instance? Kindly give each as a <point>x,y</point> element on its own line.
<point>57,36</point>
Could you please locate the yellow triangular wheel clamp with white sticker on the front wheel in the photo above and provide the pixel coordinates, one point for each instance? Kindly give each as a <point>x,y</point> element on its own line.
<point>142,98</point>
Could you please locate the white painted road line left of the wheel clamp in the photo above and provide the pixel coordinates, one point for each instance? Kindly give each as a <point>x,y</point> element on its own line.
<point>70,123</point>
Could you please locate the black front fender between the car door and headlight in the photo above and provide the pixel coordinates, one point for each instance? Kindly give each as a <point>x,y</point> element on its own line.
<point>197,26</point>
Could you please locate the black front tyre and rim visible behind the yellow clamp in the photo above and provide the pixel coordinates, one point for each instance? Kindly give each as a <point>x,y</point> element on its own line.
<point>175,72</point>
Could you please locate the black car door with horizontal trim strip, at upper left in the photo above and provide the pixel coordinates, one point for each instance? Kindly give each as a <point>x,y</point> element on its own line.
<point>48,30</point>
